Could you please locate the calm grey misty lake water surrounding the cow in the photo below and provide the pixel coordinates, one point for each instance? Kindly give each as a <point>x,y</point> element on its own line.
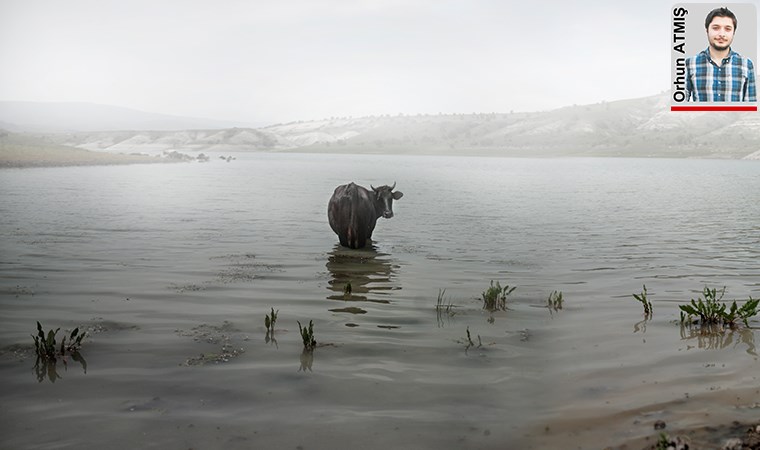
<point>172,268</point>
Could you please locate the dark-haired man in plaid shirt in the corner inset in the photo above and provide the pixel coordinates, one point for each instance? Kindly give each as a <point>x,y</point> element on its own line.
<point>719,74</point>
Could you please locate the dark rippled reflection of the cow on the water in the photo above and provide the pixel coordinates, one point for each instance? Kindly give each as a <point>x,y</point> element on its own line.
<point>360,275</point>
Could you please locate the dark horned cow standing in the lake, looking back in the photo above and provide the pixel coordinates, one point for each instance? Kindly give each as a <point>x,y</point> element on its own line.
<point>353,211</point>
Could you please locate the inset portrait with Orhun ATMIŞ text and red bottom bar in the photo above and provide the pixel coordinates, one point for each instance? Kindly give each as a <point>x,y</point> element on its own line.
<point>713,57</point>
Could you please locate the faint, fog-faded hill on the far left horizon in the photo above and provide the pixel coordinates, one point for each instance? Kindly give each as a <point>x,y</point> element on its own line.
<point>73,117</point>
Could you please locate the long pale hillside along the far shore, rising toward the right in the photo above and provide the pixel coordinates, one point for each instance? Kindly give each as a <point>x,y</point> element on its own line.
<point>640,127</point>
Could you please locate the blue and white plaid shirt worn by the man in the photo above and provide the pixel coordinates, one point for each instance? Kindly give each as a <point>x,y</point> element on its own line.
<point>733,81</point>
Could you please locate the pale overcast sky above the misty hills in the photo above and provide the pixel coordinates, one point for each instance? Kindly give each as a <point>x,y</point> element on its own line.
<point>283,60</point>
